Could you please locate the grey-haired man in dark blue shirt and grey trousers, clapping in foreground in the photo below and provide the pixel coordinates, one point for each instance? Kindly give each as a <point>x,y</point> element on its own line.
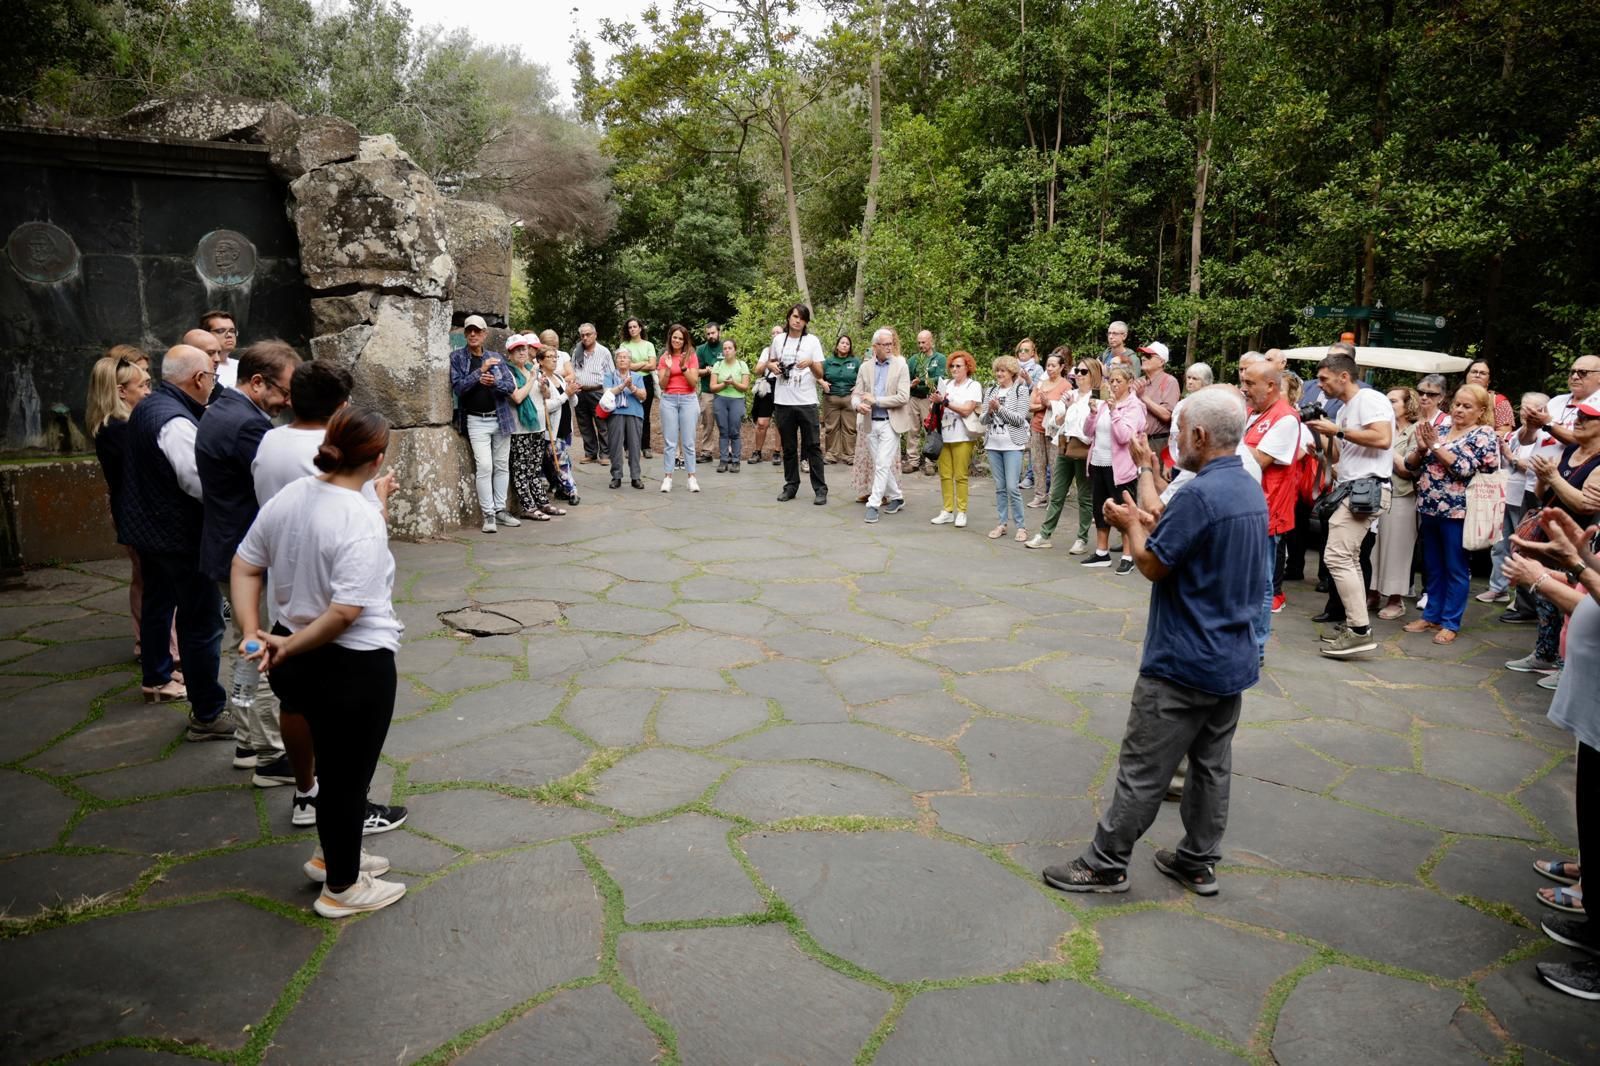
<point>1206,558</point>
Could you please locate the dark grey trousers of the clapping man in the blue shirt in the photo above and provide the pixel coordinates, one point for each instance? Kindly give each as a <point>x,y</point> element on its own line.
<point>1167,723</point>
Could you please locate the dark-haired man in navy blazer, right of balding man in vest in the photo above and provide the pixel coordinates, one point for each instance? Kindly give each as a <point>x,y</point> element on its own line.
<point>225,452</point>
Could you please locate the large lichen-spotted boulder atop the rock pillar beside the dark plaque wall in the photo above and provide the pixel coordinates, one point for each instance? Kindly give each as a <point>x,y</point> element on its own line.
<point>375,223</point>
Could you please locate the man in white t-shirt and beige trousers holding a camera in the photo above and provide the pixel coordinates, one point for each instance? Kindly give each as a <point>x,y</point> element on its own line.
<point>1362,463</point>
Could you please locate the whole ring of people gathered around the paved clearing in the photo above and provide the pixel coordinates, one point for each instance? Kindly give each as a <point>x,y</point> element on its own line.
<point>281,527</point>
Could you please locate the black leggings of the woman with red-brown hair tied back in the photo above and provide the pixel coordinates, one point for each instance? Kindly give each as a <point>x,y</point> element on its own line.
<point>348,699</point>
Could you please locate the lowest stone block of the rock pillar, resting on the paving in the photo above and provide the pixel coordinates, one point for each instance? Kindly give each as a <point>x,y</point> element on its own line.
<point>436,494</point>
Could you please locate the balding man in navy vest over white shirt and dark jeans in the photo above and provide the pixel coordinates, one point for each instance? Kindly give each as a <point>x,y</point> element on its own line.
<point>162,519</point>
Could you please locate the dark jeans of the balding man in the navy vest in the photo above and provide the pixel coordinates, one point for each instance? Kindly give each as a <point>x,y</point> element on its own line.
<point>174,583</point>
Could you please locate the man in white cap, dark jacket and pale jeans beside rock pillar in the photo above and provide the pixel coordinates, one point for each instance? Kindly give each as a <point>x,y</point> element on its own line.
<point>484,387</point>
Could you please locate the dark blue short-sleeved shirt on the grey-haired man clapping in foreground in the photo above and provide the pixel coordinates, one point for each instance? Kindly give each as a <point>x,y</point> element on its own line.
<point>1214,542</point>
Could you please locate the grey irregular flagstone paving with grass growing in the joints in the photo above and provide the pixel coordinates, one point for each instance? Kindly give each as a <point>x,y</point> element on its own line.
<point>742,782</point>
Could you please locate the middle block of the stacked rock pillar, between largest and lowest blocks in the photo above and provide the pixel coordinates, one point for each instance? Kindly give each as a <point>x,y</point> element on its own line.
<point>401,363</point>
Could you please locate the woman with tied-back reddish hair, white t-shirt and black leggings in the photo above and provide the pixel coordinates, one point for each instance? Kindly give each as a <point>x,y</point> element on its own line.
<point>332,654</point>
